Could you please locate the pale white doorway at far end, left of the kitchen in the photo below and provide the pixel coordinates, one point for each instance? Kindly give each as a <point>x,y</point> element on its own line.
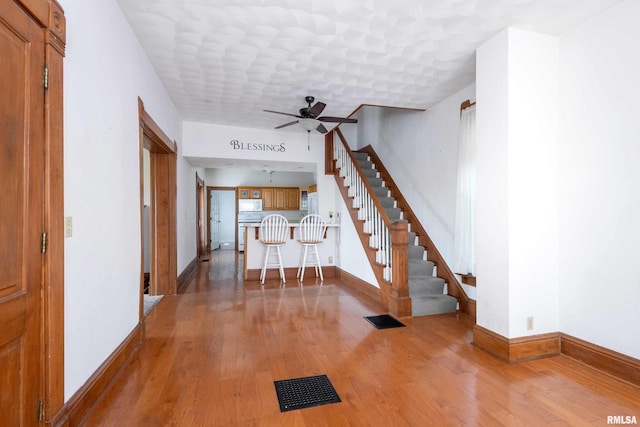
<point>222,218</point>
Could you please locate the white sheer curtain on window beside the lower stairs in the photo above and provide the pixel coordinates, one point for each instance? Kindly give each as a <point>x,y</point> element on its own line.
<point>464,243</point>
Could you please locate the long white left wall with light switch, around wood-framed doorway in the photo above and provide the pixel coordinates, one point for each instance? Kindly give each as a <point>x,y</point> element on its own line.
<point>105,72</point>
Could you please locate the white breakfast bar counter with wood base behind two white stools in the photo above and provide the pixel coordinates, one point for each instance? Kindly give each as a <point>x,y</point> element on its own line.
<point>254,252</point>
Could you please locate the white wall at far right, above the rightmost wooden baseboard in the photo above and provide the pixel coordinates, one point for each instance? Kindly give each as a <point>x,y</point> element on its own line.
<point>599,200</point>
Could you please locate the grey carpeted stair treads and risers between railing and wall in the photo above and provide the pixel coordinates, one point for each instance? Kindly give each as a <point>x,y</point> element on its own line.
<point>425,289</point>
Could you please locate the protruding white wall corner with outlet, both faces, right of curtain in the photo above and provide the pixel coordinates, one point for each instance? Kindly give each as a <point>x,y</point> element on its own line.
<point>517,229</point>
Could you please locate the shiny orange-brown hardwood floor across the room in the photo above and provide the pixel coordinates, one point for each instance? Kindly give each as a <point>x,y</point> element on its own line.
<point>212,353</point>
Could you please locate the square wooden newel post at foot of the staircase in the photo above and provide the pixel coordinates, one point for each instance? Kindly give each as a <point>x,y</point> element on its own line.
<point>399,300</point>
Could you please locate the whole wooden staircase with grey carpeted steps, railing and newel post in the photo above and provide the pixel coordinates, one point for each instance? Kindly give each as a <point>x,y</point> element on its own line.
<point>411,273</point>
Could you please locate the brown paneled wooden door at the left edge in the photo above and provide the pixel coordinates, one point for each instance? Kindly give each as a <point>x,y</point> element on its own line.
<point>22,220</point>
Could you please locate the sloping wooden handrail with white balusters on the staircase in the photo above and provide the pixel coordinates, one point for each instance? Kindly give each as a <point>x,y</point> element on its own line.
<point>379,229</point>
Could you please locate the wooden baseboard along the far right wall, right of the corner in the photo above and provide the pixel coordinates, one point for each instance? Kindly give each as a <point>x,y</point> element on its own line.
<point>610,362</point>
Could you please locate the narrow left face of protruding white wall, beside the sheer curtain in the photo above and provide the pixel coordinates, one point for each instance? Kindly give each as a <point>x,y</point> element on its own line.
<point>492,171</point>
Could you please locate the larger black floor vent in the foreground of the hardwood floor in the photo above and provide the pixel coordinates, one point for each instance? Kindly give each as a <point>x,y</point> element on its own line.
<point>305,392</point>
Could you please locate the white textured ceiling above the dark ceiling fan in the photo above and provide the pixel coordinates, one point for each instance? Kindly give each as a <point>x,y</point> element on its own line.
<point>224,61</point>
